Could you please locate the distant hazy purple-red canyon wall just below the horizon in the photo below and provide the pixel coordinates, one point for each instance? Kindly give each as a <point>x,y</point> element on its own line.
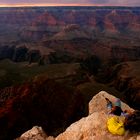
<point>35,23</point>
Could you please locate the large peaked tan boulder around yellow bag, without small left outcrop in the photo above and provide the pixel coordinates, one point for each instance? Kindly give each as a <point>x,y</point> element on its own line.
<point>93,127</point>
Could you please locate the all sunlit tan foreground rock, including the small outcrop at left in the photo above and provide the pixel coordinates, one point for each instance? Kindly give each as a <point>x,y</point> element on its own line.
<point>92,127</point>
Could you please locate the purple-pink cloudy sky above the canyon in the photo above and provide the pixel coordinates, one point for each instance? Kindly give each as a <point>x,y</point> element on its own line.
<point>71,2</point>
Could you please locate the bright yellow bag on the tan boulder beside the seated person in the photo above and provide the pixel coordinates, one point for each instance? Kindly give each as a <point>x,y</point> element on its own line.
<point>115,126</point>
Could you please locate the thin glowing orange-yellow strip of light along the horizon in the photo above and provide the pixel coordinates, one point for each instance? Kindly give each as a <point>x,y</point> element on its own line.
<point>59,5</point>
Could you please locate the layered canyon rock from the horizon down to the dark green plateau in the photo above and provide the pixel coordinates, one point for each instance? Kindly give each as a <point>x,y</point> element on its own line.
<point>81,31</point>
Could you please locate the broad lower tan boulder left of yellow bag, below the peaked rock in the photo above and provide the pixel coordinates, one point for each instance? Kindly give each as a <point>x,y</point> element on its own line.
<point>92,127</point>
